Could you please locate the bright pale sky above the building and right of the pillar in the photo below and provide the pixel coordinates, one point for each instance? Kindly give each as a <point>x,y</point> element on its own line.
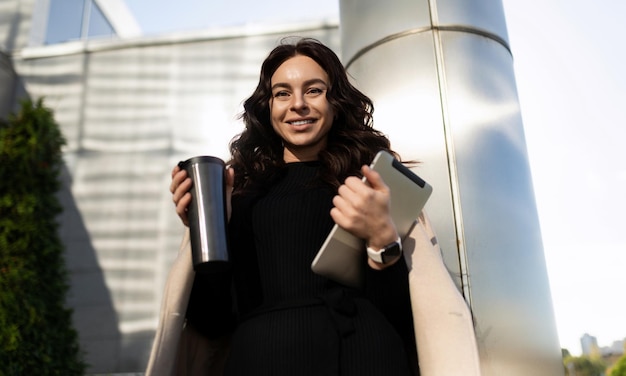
<point>568,59</point>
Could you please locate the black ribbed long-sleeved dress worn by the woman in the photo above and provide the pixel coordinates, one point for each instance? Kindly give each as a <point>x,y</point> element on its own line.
<point>289,320</point>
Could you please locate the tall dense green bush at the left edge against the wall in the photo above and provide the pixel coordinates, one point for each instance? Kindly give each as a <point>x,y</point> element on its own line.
<point>36,333</point>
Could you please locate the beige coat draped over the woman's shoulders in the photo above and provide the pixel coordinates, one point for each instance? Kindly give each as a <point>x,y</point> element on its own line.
<point>443,323</point>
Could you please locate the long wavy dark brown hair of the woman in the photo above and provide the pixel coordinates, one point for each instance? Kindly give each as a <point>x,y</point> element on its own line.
<point>257,152</point>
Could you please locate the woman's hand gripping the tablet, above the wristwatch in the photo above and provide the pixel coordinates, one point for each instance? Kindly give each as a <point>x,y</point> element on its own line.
<point>364,210</point>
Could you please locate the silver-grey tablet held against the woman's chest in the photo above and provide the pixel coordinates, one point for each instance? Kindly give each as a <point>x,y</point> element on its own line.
<point>341,256</point>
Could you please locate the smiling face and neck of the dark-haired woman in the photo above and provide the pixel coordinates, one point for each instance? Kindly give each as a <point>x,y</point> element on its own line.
<point>299,110</point>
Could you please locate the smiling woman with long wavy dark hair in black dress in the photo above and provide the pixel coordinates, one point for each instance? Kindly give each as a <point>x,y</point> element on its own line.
<point>295,171</point>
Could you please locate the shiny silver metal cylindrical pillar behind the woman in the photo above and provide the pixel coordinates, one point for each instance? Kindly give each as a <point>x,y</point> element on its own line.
<point>441,77</point>
